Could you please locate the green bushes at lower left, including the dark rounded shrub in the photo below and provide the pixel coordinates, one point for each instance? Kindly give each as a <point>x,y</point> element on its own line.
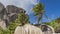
<point>22,18</point>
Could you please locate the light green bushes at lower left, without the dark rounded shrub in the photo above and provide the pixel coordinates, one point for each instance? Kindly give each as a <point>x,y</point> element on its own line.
<point>11,27</point>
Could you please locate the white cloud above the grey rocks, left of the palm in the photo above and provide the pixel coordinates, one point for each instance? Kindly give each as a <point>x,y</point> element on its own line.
<point>25,4</point>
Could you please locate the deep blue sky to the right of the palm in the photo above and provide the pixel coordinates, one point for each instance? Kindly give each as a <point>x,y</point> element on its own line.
<point>52,8</point>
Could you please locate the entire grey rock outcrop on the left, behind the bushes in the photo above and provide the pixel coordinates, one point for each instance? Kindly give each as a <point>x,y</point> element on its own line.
<point>9,14</point>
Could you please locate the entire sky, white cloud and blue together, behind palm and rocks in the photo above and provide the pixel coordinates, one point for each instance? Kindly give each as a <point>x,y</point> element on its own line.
<point>52,7</point>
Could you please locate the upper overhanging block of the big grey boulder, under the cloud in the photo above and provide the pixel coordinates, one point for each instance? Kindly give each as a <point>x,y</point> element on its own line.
<point>14,9</point>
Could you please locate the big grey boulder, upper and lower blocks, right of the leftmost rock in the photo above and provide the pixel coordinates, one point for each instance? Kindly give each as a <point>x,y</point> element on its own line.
<point>13,11</point>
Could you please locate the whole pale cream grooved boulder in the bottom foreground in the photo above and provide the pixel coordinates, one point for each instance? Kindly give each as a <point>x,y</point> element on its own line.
<point>28,29</point>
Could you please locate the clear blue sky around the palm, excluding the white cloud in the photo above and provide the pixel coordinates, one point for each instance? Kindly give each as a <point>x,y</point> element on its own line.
<point>52,8</point>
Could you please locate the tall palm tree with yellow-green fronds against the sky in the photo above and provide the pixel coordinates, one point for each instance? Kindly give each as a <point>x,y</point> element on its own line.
<point>39,11</point>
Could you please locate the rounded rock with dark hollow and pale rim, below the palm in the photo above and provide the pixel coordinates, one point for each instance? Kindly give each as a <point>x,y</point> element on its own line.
<point>47,29</point>
